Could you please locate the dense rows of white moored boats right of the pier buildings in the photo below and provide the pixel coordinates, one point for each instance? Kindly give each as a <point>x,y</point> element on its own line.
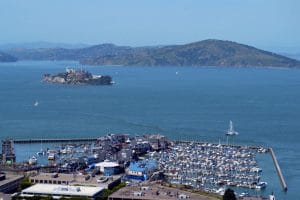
<point>209,166</point>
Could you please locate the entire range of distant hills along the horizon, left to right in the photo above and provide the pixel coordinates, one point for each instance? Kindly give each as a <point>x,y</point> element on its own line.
<point>203,53</point>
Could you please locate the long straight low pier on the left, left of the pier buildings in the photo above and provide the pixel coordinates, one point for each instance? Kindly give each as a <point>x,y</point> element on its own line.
<point>54,140</point>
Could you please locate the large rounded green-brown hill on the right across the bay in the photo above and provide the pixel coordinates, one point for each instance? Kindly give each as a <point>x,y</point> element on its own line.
<point>203,53</point>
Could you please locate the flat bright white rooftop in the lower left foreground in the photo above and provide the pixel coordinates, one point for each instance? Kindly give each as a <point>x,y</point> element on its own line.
<point>54,189</point>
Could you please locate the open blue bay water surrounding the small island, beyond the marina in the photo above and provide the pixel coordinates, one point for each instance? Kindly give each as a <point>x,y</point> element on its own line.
<point>195,104</point>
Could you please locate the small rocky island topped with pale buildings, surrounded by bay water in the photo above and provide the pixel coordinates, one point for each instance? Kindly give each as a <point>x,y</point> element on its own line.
<point>78,77</point>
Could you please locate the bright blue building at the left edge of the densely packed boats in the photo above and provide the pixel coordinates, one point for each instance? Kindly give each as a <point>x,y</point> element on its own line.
<point>140,170</point>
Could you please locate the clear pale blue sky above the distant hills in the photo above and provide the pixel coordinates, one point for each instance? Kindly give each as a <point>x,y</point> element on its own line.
<point>267,24</point>
